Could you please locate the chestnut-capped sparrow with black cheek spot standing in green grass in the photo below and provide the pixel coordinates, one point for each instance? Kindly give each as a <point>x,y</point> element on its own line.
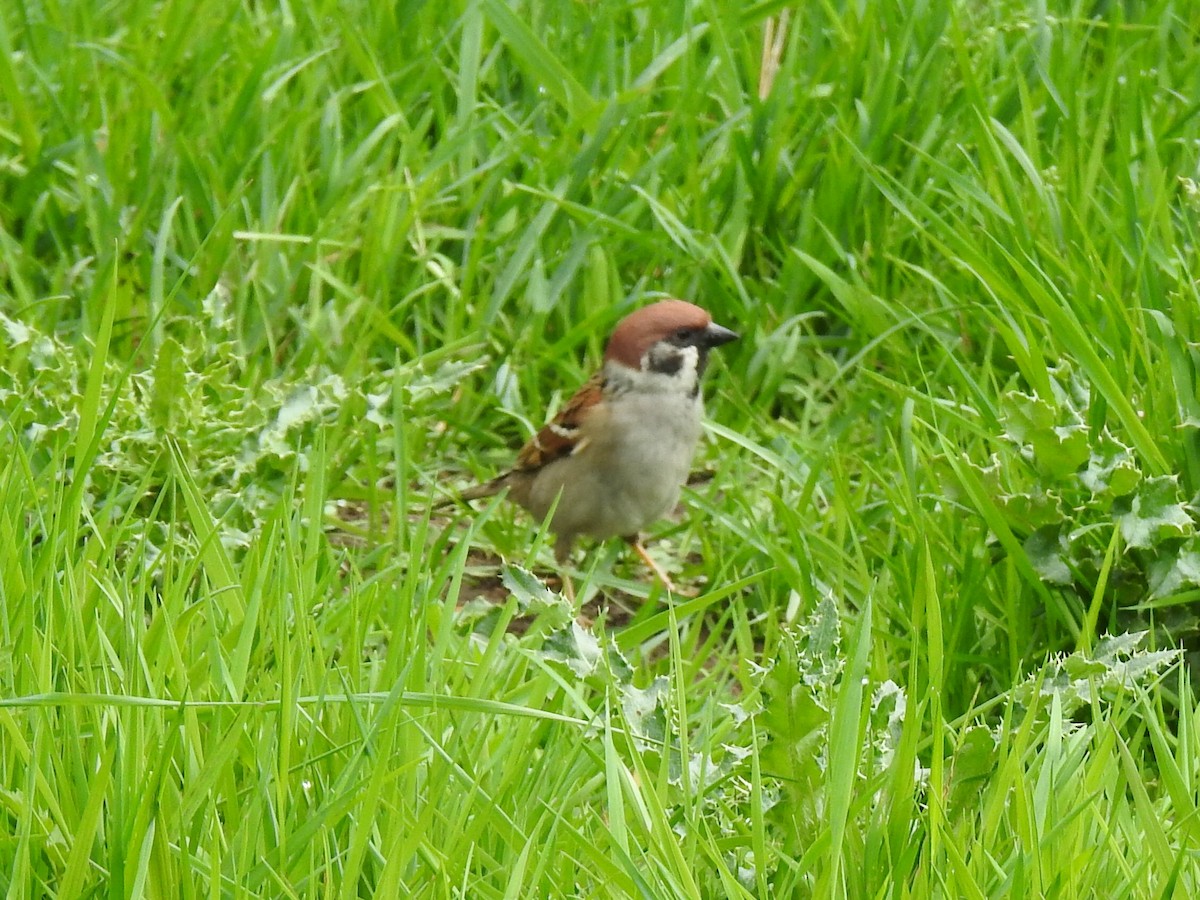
<point>616,457</point>
